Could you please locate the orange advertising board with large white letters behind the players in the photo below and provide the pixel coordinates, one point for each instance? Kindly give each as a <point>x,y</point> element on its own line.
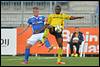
<point>91,36</point>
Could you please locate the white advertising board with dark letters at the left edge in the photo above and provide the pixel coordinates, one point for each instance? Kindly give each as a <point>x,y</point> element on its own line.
<point>8,41</point>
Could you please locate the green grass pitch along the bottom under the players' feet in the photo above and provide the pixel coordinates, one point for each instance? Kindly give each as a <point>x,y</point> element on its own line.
<point>49,61</point>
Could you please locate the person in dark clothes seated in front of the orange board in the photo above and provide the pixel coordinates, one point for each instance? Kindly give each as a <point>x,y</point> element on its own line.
<point>76,39</point>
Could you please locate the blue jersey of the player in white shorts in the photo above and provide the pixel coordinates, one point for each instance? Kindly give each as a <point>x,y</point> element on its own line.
<point>36,22</point>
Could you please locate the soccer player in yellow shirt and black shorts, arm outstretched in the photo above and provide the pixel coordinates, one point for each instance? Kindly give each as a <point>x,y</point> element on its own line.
<point>58,19</point>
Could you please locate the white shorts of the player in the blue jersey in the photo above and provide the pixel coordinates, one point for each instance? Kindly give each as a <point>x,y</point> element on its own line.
<point>34,38</point>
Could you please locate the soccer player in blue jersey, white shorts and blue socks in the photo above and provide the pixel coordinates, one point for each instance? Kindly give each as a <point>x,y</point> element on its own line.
<point>37,22</point>
